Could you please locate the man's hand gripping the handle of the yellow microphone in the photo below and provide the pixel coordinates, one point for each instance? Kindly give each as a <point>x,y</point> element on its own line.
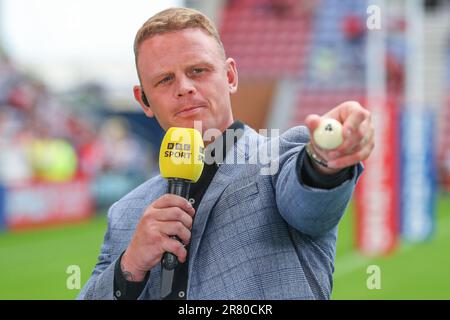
<point>170,215</point>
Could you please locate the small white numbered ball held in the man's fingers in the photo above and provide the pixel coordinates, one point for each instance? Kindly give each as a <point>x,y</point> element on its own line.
<point>328,135</point>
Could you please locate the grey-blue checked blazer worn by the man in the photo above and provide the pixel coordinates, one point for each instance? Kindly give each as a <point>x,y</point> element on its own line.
<point>255,236</point>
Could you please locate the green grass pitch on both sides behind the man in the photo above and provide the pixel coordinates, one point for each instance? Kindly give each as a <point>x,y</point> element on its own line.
<point>33,264</point>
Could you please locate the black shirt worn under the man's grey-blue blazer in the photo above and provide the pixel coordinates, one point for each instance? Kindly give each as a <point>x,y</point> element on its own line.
<point>127,290</point>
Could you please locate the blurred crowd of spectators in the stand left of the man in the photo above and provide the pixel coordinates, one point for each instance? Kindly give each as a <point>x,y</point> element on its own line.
<point>42,139</point>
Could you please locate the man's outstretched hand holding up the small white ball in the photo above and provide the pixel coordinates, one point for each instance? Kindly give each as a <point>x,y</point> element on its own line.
<point>358,136</point>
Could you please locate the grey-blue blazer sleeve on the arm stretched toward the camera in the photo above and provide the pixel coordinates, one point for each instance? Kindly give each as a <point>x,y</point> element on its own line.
<point>312,211</point>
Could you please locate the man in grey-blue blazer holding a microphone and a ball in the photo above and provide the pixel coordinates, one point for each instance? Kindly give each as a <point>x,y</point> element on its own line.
<point>247,235</point>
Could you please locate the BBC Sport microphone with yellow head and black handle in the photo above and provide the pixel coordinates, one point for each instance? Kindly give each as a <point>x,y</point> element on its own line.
<point>181,160</point>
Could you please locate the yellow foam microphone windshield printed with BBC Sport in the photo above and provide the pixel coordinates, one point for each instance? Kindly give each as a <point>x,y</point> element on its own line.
<point>182,154</point>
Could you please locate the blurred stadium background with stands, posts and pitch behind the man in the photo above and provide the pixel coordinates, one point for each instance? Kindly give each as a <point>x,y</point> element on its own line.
<point>73,140</point>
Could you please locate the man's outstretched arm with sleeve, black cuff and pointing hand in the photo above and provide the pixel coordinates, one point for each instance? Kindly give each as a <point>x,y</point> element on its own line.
<point>315,208</point>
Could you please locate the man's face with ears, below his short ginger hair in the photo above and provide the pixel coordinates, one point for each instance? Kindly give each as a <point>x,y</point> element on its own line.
<point>186,79</point>
